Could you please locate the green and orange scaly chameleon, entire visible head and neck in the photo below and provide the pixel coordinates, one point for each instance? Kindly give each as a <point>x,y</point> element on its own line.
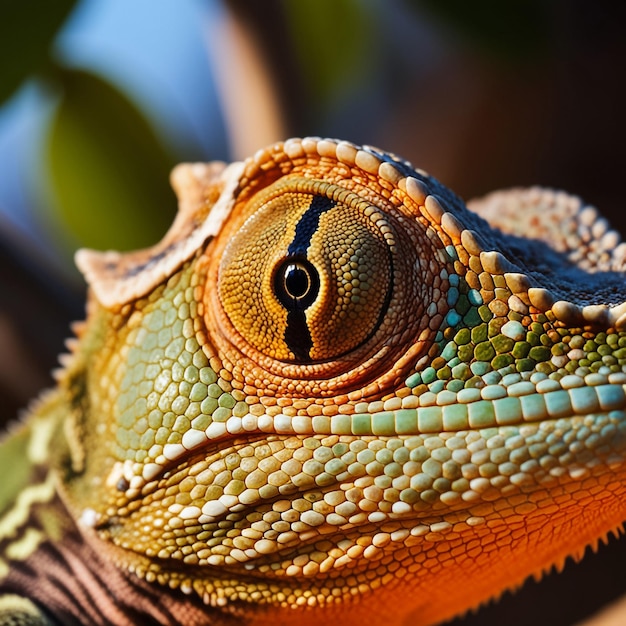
<point>333,391</point>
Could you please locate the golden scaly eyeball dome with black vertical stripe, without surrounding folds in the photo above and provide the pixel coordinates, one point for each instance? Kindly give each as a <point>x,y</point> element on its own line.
<point>307,276</point>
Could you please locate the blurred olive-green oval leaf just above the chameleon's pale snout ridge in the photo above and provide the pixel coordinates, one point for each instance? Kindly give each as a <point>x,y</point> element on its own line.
<point>109,172</point>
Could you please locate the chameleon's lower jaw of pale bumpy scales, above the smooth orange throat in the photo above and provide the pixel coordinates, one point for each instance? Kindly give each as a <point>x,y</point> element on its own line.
<point>354,498</point>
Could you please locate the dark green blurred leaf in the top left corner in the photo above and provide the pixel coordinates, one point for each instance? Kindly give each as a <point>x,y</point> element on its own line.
<point>27,30</point>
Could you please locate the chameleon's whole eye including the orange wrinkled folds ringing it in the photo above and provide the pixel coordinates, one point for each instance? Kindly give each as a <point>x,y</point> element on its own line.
<point>316,287</point>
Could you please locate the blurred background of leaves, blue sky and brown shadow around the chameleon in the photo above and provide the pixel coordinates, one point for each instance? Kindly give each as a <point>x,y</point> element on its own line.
<point>100,98</point>
